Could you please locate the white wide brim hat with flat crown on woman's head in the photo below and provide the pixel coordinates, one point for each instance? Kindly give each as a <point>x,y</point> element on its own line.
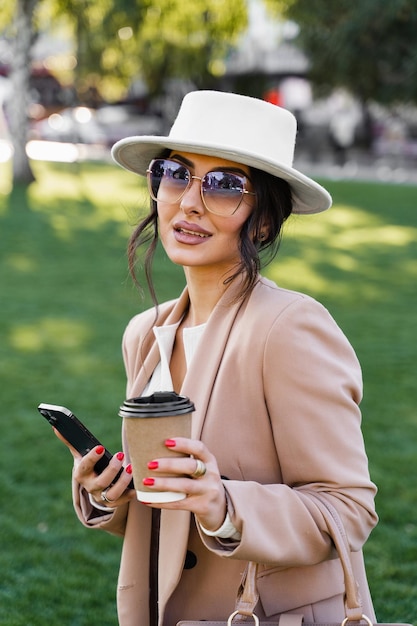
<point>238,128</point>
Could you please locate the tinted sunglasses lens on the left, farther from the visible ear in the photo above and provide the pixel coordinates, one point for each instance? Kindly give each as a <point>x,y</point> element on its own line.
<point>167,180</point>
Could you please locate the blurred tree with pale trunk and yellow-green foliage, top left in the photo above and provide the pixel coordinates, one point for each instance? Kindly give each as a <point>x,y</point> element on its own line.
<point>117,41</point>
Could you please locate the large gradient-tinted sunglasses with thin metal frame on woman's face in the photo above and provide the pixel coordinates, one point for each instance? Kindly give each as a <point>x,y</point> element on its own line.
<point>222,191</point>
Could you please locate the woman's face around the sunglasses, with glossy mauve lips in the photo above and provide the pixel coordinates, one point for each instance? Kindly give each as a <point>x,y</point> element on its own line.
<point>191,235</point>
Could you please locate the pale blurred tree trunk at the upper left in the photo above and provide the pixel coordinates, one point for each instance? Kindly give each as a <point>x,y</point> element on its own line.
<point>20,75</point>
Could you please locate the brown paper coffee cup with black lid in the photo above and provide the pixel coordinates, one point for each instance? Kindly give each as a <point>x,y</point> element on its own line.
<point>148,421</point>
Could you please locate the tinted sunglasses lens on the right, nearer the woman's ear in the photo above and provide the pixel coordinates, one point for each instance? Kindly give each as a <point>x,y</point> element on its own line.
<point>223,191</point>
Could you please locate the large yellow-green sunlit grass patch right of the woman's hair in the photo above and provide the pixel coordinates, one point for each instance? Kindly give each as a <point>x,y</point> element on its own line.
<point>316,247</point>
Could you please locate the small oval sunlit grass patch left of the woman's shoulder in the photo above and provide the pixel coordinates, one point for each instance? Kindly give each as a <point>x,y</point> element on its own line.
<point>49,333</point>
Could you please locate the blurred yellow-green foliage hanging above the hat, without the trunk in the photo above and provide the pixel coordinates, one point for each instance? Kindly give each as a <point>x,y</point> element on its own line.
<point>153,40</point>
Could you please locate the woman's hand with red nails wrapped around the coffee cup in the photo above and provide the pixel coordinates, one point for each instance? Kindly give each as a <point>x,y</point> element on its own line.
<point>206,497</point>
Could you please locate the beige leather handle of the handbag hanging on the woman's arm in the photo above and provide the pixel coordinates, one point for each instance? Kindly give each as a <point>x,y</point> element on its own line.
<point>248,595</point>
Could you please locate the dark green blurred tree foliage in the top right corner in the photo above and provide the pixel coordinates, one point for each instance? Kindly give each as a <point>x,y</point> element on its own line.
<point>367,46</point>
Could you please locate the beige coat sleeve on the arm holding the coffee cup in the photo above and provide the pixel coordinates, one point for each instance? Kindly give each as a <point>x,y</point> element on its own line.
<point>312,387</point>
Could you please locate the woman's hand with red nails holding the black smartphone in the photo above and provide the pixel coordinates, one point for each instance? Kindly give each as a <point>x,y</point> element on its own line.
<point>101,484</point>
